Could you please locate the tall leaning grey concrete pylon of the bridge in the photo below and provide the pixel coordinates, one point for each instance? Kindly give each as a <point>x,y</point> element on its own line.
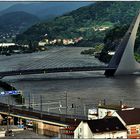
<point>124,61</point>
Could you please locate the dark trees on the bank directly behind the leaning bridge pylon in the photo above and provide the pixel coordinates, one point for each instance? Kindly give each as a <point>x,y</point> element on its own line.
<point>113,38</point>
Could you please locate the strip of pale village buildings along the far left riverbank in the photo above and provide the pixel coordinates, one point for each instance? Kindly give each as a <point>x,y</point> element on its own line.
<point>13,48</point>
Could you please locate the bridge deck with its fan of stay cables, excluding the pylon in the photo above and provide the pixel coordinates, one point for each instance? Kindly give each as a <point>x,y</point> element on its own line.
<point>52,61</point>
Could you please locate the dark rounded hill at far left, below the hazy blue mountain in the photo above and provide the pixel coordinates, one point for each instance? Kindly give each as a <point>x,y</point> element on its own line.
<point>15,22</point>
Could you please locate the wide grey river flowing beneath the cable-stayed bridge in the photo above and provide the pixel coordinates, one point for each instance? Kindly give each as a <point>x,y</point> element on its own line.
<point>82,89</point>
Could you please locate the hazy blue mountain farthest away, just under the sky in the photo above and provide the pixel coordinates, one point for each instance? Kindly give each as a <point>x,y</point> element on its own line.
<point>45,10</point>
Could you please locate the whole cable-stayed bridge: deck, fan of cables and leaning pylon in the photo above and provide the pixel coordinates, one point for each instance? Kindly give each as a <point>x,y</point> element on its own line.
<point>70,59</point>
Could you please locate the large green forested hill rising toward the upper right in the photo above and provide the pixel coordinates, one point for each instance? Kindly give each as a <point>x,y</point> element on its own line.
<point>86,22</point>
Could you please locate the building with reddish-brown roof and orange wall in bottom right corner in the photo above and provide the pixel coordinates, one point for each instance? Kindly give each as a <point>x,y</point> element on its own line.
<point>131,120</point>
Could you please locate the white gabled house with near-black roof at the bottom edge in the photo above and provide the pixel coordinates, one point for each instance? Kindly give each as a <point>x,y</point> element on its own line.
<point>101,128</point>
